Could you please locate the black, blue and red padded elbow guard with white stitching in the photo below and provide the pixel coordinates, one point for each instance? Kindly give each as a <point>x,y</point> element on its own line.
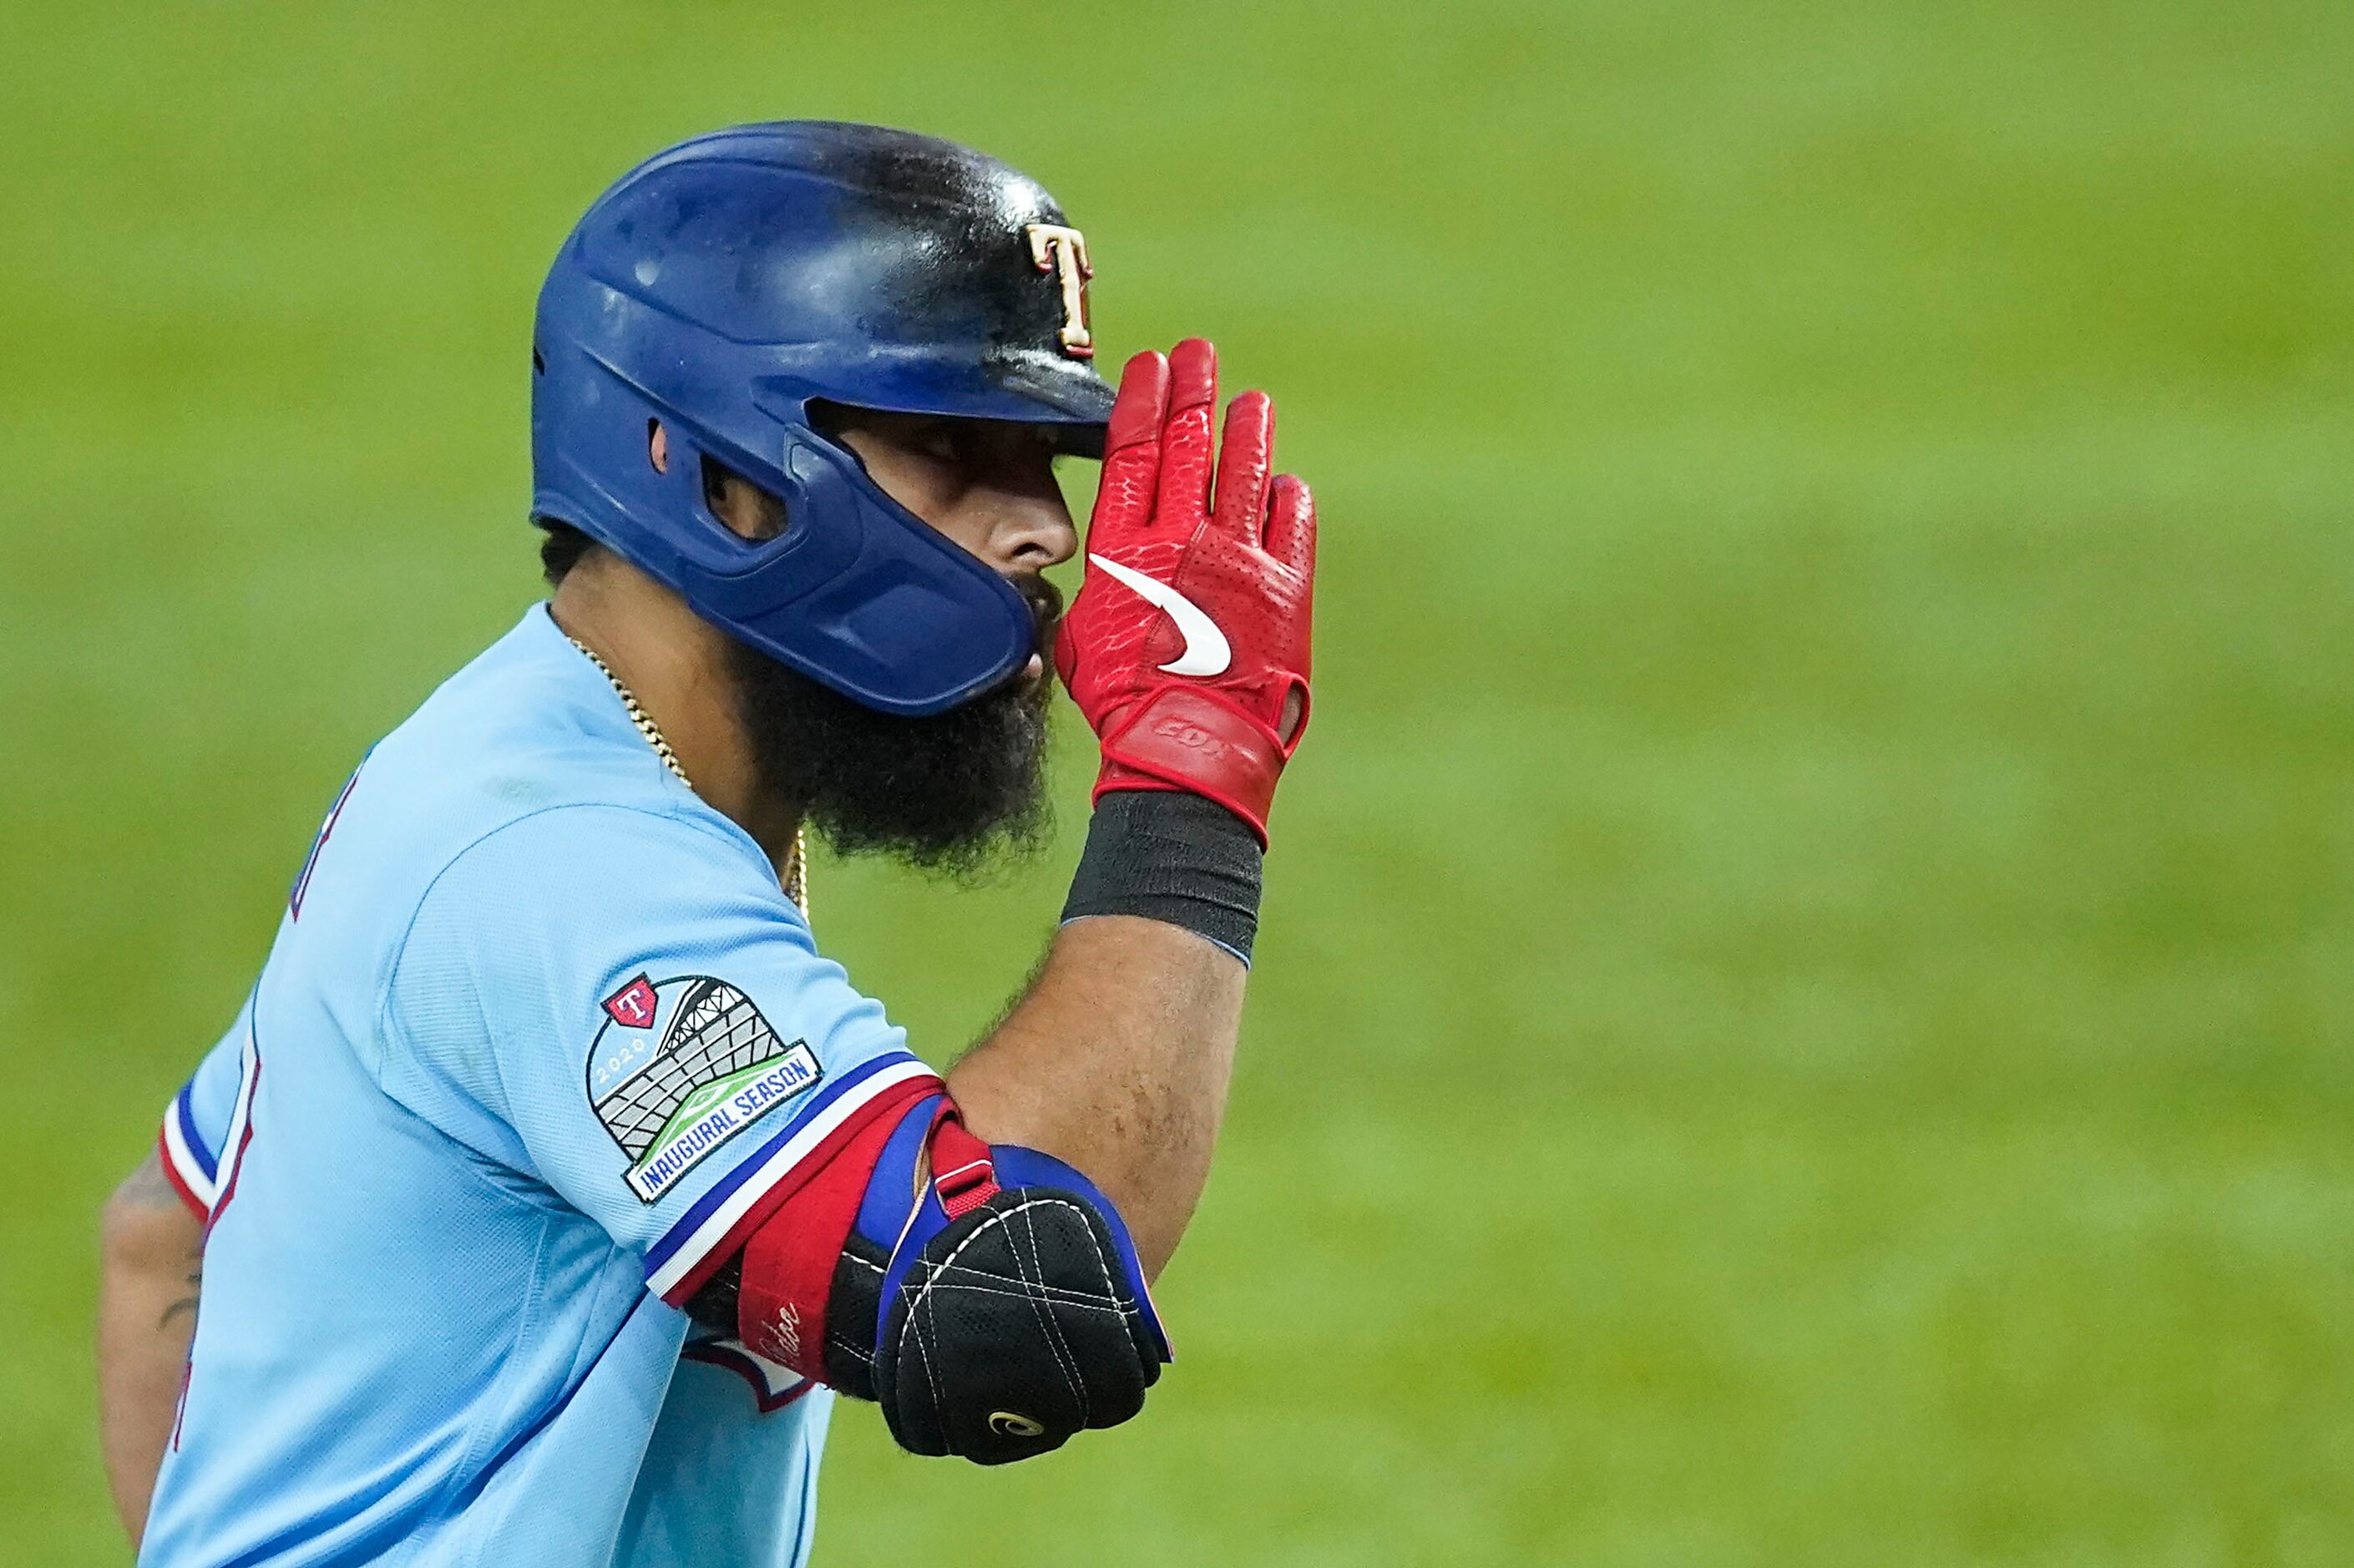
<point>988,1296</point>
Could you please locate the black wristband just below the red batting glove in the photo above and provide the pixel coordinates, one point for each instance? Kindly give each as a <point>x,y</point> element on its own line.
<point>1171,858</point>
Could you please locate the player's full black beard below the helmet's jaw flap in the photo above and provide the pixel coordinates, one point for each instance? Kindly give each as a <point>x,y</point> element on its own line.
<point>955,795</point>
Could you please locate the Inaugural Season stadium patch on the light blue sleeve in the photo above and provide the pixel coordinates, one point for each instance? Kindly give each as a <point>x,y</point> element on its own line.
<point>681,1068</point>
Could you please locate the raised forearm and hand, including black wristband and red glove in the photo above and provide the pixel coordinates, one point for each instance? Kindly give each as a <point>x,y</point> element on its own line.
<point>1188,651</point>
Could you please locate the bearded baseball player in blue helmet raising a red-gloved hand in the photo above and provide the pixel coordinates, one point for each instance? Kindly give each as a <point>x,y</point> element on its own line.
<point>550,1183</point>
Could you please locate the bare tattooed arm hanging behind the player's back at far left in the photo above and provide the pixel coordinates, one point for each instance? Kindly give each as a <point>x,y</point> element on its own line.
<point>147,1317</point>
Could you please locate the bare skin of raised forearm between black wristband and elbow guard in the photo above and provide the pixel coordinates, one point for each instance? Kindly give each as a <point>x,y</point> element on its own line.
<point>1117,1061</point>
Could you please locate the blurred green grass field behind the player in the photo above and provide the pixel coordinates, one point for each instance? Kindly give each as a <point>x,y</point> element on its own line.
<point>1809,978</point>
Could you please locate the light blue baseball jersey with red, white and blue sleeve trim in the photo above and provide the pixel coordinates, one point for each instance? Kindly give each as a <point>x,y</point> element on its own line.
<point>536,1047</point>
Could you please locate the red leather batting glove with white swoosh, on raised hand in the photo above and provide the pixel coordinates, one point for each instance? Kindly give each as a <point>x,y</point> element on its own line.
<point>1188,646</point>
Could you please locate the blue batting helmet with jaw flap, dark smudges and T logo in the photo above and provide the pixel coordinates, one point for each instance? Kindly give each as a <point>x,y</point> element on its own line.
<point>733,281</point>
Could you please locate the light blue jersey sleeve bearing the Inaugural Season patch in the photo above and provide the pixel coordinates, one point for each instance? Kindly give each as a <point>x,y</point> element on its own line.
<point>625,1006</point>
